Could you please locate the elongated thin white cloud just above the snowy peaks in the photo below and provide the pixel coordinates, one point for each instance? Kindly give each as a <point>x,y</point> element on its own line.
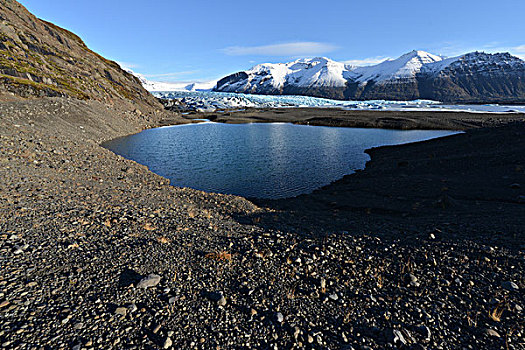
<point>303,48</point>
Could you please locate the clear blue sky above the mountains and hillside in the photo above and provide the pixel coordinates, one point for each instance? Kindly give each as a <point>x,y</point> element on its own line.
<point>200,40</point>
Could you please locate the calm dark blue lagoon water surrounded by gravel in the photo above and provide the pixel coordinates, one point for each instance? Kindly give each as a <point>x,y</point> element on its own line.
<point>258,160</point>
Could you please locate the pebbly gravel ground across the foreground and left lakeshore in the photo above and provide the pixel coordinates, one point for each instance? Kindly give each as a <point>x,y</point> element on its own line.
<point>97,252</point>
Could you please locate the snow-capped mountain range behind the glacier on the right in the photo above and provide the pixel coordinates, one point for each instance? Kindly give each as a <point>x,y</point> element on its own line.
<point>473,77</point>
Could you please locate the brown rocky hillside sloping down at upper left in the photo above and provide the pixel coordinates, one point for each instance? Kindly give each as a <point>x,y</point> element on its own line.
<point>38,58</point>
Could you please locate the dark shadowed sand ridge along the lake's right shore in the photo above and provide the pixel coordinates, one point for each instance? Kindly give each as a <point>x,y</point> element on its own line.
<point>474,180</point>
